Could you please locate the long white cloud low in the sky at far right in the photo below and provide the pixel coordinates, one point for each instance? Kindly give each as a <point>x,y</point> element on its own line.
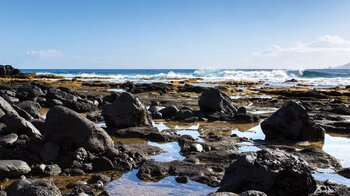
<point>325,45</point>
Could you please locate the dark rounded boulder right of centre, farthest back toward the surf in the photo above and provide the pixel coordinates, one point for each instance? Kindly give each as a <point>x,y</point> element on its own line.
<point>212,100</point>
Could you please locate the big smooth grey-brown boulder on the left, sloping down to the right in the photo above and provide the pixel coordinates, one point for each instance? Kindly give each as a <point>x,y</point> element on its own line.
<point>64,126</point>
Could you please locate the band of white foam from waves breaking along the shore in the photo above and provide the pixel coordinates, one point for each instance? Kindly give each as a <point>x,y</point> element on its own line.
<point>272,77</point>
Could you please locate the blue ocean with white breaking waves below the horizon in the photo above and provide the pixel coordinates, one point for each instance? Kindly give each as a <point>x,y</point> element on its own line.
<point>275,77</point>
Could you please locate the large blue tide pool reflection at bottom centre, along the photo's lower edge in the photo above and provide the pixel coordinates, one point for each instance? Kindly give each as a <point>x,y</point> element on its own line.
<point>129,184</point>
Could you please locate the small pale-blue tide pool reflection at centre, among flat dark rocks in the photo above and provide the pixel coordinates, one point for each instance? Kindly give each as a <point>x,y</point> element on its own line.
<point>171,152</point>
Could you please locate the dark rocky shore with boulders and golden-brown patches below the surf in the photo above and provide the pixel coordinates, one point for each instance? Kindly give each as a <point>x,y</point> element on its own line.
<point>73,137</point>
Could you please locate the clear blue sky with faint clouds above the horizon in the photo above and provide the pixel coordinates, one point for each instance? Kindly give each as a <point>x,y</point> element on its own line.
<point>174,33</point>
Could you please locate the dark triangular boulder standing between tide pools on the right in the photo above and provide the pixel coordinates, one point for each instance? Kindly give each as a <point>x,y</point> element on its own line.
<point>292,122</point>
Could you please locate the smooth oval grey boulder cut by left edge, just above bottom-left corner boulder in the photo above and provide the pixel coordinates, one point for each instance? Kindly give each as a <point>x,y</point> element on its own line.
<point>13,168</point>
